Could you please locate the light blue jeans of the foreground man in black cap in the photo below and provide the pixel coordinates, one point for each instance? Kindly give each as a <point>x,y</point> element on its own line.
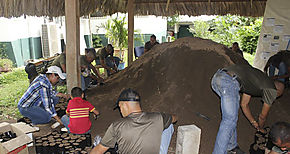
<point>165,139</point>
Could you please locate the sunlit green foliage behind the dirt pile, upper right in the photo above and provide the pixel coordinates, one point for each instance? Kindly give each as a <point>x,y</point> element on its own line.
<point>228,29</point>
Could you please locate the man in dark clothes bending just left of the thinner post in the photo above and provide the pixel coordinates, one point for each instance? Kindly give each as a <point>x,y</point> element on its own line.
<point>105,57</point>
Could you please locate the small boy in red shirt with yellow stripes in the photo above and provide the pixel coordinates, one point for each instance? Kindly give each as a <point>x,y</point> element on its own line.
<point>78,110</point>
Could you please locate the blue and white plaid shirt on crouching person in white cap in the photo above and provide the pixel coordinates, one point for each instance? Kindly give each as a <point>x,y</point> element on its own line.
<point>39,93</point>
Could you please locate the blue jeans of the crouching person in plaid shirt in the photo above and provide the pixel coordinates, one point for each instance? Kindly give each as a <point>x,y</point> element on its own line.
<point>37,114</point>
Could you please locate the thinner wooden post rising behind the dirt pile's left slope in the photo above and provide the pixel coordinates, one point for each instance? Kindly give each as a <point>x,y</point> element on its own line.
<point>130,8</point>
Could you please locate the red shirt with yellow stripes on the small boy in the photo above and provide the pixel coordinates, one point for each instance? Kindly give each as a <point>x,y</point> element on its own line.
<point>79,110</point>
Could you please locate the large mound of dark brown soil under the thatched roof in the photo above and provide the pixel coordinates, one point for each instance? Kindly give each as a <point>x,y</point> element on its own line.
<point>175,78</point>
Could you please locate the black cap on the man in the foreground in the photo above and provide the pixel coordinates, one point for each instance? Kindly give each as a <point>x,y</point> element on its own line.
<point>128,95</point>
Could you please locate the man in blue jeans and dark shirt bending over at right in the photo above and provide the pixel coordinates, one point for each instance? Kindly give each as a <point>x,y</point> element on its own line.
<point>227,83</point>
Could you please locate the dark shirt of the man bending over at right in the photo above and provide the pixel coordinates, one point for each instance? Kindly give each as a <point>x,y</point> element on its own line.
<point>254,82</point>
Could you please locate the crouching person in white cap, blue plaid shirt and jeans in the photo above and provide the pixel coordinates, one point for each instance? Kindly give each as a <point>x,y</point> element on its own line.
<point>37,102</point>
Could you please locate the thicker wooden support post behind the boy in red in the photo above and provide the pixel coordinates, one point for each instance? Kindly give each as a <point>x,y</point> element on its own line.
<point>72,24</point>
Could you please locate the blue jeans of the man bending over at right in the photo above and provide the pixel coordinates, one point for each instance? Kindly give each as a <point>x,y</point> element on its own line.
<point>227,88</point>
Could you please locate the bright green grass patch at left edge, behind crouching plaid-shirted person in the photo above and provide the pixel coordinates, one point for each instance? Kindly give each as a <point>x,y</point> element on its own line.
<point>12,86</point>
